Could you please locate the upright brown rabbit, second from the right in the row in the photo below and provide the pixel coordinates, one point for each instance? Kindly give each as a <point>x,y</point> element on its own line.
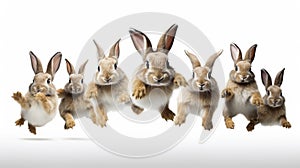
<point>241,93</point>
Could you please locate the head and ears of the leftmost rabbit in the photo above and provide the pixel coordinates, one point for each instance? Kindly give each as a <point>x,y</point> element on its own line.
<point>42,81</point>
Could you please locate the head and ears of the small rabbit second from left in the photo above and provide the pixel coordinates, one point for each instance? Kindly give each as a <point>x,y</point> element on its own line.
<point>76,84</point>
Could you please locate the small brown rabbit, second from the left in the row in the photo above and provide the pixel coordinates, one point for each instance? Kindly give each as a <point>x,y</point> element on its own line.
<point>74,104</point>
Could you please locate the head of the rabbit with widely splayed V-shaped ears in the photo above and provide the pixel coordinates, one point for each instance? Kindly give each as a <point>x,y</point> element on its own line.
<point>201,81</point>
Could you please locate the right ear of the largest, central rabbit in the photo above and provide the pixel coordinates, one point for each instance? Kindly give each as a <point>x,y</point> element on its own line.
<point>166,40</point>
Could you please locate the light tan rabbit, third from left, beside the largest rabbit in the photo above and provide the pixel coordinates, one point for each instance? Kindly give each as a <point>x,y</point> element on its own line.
<point>110,85</point>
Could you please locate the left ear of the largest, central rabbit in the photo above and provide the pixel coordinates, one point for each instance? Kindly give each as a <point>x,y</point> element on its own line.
<point>141,42</point>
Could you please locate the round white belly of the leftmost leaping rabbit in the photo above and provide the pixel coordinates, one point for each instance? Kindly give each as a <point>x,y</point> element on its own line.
<point>37,115</point>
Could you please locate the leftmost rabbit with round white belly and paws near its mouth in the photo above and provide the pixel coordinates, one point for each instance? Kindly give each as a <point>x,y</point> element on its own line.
<point>39,105</point>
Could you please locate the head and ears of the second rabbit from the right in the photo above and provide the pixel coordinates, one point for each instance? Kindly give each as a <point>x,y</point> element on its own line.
<point>242,72</point>
